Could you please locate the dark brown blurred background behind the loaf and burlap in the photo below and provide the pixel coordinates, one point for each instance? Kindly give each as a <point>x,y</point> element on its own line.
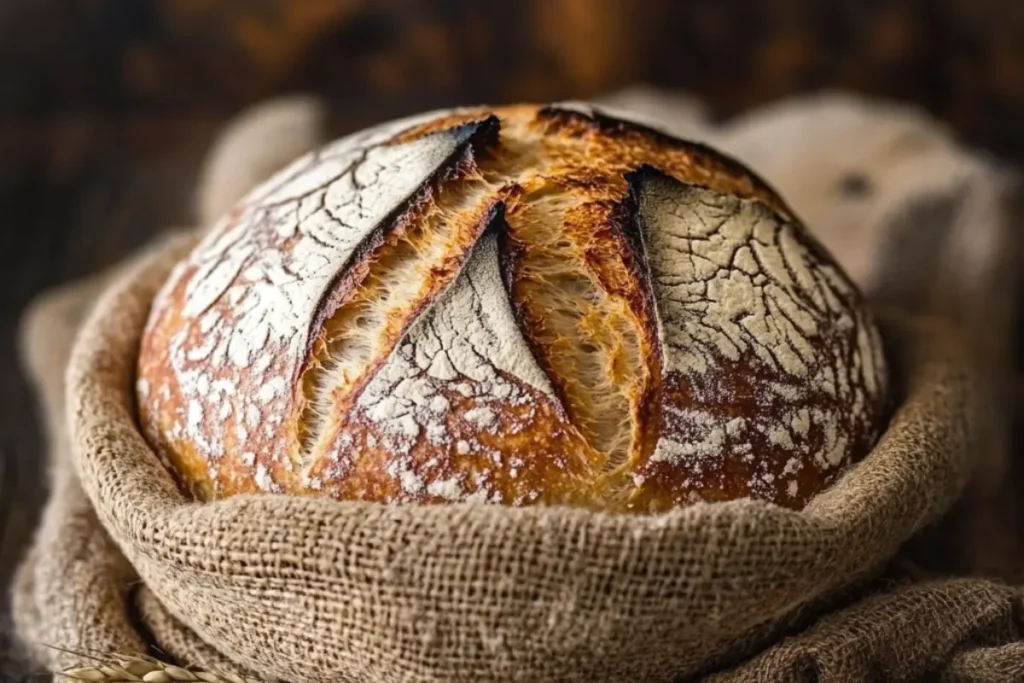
<point>106,106</point>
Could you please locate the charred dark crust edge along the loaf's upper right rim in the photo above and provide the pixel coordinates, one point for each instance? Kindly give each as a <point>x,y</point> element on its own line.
<point>576,123</point>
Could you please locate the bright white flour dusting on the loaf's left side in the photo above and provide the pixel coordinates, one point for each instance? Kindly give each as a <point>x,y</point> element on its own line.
<point>252,288</point>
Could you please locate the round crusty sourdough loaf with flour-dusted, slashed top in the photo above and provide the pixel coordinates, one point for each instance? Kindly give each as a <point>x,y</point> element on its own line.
<point>517,306</point>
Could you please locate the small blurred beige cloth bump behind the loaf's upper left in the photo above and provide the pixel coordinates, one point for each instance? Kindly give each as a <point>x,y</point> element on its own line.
<point>254,145</point>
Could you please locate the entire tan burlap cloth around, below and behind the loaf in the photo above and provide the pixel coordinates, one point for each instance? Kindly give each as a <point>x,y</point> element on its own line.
<point>905,570</point>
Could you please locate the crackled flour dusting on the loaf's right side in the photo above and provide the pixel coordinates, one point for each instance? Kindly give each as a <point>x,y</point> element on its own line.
<point>736,287</point>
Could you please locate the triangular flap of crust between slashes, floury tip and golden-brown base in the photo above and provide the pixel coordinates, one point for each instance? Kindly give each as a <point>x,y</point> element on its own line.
<point>454,411</point>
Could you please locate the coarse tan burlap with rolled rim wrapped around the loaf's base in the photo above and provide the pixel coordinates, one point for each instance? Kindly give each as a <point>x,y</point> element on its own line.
<point>318,590</point>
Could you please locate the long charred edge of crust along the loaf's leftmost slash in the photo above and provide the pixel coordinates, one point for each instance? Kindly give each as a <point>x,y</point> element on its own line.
<point>472,138</point>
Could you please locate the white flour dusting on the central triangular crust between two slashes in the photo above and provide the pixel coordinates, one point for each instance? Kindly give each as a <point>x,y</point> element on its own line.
<point>467,344</point>
